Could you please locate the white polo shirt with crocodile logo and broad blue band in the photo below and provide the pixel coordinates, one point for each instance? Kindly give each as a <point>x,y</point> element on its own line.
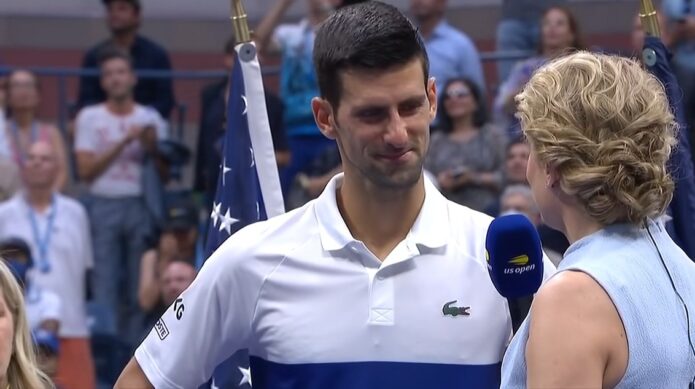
<point>317,310</point>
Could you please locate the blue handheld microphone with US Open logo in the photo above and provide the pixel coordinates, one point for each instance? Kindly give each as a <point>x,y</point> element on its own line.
<point>515,262</point>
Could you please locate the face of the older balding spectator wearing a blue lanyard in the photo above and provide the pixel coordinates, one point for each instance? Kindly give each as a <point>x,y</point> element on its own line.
<point>41,166</point>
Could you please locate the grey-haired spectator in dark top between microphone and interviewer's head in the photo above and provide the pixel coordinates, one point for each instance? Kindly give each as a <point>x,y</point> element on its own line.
<point>518,199</point>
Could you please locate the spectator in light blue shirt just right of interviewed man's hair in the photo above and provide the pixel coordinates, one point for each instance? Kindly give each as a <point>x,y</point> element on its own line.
<point>452,53</point>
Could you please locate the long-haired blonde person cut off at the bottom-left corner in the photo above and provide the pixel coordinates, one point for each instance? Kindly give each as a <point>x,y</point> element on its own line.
<point>18,367</point>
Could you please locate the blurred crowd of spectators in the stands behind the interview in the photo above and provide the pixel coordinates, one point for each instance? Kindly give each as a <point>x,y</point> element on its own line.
<point>99,269</point>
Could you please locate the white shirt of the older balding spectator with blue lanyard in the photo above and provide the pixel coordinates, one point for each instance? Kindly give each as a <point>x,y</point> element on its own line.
<point>69,253</point>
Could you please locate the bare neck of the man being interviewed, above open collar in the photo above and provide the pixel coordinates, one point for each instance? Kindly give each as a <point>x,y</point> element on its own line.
<point>379,218</point>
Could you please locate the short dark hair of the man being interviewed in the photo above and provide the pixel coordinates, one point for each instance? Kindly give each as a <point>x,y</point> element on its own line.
<point>370,36</point>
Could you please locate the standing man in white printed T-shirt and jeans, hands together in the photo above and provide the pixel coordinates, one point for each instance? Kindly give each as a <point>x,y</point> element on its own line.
<point>112,141</point>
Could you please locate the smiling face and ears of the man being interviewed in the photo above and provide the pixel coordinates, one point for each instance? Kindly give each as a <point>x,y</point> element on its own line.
<point>382,124</point>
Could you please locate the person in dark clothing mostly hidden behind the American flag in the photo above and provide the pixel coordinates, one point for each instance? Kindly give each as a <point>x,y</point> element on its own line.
<point>212,127</point>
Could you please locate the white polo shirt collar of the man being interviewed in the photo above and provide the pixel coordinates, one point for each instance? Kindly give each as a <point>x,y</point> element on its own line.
<point>431,227</point>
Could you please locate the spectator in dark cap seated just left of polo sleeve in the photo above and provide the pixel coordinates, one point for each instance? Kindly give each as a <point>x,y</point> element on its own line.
<point>177,243</point>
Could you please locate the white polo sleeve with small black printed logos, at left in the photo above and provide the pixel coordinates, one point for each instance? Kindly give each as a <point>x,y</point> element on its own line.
<point>209,322</point>
